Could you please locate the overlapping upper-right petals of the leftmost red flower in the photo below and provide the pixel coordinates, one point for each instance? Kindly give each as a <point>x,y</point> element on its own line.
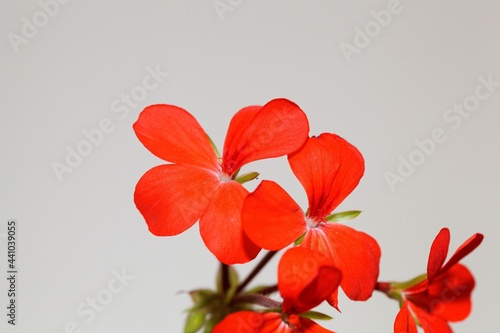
<point>278,128</point>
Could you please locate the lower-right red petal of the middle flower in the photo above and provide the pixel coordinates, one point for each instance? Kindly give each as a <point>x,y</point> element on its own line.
<point>354,253</point>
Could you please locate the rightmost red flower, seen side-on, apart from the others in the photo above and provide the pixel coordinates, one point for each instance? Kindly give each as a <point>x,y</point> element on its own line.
<point>445,293</point>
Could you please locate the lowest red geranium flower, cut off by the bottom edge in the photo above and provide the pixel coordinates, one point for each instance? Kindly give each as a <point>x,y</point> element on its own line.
<point>305,279</point>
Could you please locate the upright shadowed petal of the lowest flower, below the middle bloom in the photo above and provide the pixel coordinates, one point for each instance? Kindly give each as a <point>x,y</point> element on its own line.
<point>305,279</point>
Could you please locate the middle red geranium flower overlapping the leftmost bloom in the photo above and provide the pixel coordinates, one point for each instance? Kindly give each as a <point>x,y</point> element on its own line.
<point>329,168</point>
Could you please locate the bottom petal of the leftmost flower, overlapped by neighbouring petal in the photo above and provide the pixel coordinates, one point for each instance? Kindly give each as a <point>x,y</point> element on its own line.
<point>220,226</point>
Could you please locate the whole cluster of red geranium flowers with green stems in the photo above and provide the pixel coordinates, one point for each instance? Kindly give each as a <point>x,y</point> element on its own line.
<point>322,252</point>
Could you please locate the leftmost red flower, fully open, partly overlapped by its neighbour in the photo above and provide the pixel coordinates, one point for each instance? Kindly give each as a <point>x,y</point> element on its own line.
<point>172,197</point>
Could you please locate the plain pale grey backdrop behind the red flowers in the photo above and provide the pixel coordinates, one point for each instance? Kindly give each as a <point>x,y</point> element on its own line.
<point>67,68</point>
